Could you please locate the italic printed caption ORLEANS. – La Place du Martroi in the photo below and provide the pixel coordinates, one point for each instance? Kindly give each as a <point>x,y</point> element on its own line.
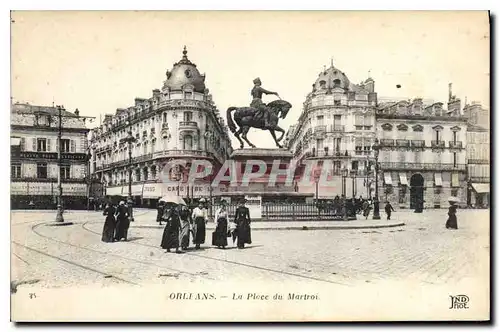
<point>251,296</point>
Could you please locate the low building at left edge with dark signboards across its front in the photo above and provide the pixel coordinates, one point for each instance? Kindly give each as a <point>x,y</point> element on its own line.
<point>34,157</point>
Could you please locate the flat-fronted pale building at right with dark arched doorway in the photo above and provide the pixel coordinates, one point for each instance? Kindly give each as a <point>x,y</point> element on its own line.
<point>422,152</point>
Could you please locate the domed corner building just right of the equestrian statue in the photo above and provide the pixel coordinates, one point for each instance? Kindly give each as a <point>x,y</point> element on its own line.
<point>337,124</point>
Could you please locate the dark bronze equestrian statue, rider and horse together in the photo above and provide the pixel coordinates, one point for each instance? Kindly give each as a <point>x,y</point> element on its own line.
<point>258,115</point>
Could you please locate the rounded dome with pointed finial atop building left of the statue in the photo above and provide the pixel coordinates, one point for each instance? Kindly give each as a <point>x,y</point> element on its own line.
<point>184,73</point>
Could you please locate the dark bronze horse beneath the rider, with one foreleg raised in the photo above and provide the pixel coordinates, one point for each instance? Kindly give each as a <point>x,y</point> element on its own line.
<point>245,119</point>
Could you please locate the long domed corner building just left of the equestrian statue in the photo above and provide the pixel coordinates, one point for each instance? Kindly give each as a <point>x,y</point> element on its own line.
<point>180,121</point>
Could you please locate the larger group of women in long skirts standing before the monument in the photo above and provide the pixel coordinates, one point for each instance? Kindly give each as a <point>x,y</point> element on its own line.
<point>181,224</point>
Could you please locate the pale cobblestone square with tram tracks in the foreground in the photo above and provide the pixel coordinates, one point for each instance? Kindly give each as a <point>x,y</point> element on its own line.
<point>422,250</point>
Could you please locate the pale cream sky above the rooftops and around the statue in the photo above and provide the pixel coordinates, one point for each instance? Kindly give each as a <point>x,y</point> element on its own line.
<point>99,61</point>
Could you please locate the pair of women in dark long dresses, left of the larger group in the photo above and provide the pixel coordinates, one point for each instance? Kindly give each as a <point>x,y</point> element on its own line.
<point>117,222</point>
